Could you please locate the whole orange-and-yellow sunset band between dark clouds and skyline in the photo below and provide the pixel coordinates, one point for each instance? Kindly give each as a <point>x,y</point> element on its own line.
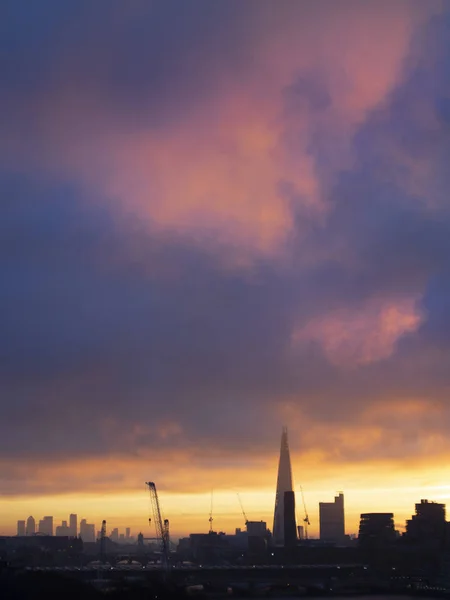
<point>114,489</point>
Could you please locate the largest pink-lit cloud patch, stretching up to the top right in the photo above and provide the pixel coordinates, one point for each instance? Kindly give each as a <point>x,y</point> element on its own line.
<point>216,174</point>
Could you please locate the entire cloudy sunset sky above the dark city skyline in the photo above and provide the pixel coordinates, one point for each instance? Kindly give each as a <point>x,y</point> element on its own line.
<point>219,218</point>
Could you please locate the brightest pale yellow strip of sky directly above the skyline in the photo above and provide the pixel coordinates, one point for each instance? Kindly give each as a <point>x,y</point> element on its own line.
<point>189,512</point>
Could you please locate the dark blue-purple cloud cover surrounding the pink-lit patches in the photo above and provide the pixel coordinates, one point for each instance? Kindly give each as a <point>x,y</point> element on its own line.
<point>107,323</point>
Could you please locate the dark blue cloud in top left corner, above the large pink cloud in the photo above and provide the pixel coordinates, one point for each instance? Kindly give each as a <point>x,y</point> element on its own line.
<point>141,65</point>
